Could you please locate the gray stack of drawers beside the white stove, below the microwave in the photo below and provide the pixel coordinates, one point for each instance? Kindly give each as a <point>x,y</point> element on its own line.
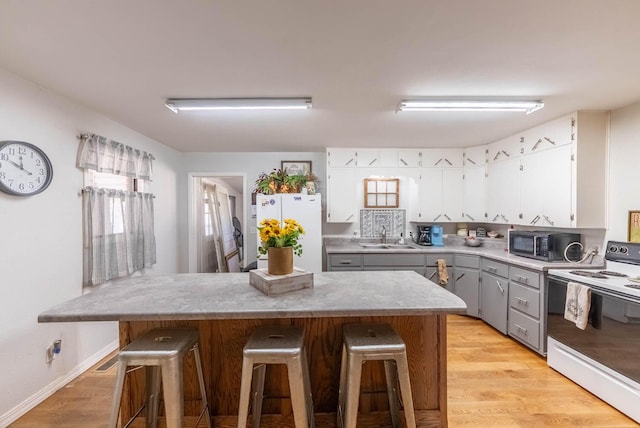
<point>526,305</point>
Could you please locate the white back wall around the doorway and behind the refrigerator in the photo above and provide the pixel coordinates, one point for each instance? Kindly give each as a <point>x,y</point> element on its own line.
<point>251,164</point>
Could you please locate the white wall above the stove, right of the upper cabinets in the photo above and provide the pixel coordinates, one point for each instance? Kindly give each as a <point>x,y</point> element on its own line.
<point>624,160</point>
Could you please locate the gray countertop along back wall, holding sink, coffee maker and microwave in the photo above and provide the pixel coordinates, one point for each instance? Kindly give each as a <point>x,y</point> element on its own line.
<point>493,249</point>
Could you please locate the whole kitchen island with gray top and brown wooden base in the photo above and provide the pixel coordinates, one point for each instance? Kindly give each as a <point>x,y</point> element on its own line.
<point>225,309</point>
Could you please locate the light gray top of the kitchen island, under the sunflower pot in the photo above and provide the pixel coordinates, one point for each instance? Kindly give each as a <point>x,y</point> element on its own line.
<point>230,296</point>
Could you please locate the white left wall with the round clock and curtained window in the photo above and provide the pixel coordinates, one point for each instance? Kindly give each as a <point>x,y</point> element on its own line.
<point>41,243</point>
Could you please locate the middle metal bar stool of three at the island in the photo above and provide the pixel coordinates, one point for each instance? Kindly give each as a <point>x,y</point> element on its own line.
<point>275,345</point>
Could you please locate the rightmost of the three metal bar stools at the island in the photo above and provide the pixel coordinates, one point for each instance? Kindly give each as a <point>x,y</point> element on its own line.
<point>364,342</point>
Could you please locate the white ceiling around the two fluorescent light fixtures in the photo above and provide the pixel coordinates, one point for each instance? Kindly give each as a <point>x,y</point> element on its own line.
<point>356,58</point>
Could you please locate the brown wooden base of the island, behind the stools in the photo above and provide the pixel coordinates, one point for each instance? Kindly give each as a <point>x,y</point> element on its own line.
<point>221,344</point>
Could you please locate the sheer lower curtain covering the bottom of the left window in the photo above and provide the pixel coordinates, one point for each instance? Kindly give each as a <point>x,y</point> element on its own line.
<point>118,235</point>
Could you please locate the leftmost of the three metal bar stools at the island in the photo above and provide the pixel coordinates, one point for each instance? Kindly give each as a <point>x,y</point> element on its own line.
<point>161,351</point>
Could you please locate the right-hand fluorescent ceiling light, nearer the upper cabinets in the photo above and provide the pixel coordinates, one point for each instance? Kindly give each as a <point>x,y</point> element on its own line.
<point>470,105</point>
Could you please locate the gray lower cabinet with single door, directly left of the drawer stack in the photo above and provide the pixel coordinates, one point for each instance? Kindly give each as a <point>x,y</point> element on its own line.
<point>494,292</point>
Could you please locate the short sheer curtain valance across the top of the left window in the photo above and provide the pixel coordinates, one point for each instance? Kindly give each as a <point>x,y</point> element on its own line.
<point>103,155</point>
